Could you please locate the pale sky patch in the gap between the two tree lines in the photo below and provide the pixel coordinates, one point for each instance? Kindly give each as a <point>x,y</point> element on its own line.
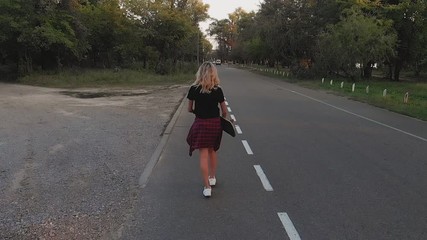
<point>220,9</point>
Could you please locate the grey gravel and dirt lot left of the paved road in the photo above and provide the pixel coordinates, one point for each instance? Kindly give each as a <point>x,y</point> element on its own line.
<point>70,159</point>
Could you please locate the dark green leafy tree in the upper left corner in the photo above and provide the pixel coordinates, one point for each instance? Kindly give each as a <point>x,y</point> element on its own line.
<point>37,31</point>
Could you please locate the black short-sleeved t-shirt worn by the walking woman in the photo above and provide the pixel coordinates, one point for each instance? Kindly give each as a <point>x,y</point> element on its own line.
<point>206,104</point>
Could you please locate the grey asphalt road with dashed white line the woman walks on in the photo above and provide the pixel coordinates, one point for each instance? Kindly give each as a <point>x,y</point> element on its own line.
<point>306,165</point>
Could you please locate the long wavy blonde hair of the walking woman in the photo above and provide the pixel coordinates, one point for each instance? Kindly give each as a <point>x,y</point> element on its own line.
<point>207,77</point>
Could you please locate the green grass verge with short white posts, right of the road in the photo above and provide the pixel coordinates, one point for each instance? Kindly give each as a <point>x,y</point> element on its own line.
<point>393,101</point>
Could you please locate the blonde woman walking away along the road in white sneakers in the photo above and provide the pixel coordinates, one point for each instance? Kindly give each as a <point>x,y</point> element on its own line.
<point>205,95</point>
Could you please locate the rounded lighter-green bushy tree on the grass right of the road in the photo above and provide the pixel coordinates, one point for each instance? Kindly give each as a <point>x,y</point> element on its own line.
<point>356,41</point>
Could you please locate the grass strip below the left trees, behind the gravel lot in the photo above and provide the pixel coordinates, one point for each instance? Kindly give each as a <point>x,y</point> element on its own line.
<point>104,78</point>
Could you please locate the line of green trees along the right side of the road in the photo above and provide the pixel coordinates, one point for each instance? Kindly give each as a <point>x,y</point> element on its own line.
<point>328,37</point>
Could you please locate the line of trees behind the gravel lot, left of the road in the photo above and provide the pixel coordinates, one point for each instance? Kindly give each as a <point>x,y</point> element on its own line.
<point>55,34</point>
